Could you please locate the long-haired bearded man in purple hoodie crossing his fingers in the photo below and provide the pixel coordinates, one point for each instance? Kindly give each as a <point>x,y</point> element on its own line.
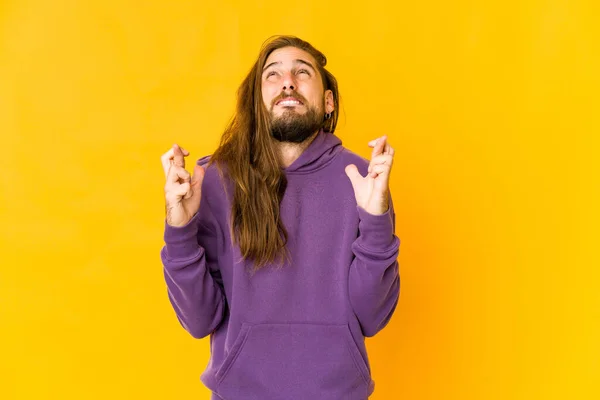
<point>281,245</point>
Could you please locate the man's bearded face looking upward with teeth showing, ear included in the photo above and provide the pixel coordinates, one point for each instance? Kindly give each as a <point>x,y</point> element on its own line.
<point>292,90</point>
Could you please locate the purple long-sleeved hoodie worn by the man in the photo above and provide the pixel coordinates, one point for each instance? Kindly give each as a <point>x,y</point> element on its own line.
<point>297,332</point>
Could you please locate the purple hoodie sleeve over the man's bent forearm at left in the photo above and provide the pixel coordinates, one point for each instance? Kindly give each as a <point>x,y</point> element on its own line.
<point>194,283</point>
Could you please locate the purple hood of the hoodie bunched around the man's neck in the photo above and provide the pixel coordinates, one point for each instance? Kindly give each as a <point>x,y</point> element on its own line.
<point>321,151</point>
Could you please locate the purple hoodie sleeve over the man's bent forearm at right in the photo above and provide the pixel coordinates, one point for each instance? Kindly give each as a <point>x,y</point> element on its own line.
<point>374,285</point>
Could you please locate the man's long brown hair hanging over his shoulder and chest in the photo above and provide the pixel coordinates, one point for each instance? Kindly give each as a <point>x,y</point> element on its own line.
<point>248,151</point>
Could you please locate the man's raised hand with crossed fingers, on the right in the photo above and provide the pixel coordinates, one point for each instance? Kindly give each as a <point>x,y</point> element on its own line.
<point>372,191</point>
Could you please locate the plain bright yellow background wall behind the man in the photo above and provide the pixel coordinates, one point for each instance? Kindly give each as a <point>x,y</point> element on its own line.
<point>492,107</point>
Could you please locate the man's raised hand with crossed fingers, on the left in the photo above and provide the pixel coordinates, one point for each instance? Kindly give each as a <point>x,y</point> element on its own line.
<point>182,192</point>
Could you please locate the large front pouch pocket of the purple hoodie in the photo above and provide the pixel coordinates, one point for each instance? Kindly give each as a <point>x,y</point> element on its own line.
<point>296,361</point>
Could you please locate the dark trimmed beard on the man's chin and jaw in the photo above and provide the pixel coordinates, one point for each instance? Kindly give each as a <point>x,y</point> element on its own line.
<point>296,128</point>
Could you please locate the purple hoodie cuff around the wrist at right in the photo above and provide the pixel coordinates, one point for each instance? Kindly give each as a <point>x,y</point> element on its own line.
<point>376,231</point>
